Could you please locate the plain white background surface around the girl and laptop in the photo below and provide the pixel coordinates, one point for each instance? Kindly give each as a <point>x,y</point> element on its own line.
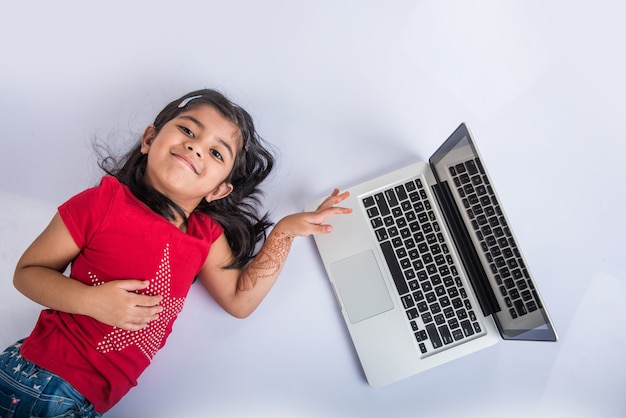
<point>345,90</point>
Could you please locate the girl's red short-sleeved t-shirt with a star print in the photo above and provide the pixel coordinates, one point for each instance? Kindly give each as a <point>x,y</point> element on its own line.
<point>120,238</point>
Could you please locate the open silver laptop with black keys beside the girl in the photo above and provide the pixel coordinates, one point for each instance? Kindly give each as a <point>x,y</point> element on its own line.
<point>427,268</point>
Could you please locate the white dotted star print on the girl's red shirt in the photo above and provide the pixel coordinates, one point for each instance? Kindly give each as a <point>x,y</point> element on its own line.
<point>148,339</point>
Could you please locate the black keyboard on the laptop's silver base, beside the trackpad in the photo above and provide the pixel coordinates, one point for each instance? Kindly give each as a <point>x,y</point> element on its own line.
<point>426,277</point>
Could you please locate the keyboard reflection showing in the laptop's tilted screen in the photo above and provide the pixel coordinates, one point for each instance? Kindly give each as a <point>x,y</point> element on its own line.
<point>496,241</point>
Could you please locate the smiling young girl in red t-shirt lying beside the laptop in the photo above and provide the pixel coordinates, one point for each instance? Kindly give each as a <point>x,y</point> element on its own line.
<point>181,206</point>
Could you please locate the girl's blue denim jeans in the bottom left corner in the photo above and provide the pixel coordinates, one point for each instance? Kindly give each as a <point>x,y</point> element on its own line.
<point>27,390</point>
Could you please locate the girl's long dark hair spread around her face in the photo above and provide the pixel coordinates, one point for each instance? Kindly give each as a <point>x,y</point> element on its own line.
<point>243,226</point>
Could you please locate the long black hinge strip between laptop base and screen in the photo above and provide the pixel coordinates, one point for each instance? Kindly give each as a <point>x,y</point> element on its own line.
<point>467,251</point>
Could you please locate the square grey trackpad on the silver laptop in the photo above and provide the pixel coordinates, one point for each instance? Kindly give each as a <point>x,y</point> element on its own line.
<point>361,286</point>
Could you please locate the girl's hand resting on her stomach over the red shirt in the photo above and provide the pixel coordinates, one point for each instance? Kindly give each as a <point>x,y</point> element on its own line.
<point>116,303</point>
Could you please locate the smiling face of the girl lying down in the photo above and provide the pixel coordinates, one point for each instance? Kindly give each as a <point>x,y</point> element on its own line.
<point>191,157</point>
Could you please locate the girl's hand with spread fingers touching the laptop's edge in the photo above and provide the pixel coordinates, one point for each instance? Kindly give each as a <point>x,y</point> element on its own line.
<point>308,223</point>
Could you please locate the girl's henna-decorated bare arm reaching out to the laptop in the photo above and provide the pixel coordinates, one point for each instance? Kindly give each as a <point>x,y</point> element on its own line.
<point>239,292</point>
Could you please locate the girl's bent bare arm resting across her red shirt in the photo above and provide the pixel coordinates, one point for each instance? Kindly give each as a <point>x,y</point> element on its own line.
<point>39,276</point>
